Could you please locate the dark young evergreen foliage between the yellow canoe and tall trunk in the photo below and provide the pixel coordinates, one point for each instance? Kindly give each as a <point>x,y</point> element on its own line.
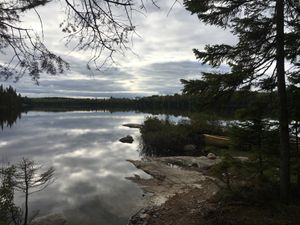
<point>258,138</point>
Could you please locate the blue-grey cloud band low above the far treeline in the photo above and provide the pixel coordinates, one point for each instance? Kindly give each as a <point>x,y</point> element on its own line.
<point>155,78</point>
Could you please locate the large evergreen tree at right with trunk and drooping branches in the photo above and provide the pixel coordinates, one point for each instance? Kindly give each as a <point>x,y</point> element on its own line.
<point>268,34</point>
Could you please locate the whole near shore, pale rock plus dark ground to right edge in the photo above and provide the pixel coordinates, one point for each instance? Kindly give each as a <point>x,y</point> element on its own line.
<point>180,192</point>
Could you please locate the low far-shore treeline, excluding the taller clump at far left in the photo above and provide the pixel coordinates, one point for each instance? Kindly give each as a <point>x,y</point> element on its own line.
<point>169,104</point>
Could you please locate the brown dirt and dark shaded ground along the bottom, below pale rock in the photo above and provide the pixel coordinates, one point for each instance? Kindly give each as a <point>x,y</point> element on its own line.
<point>189,209</point>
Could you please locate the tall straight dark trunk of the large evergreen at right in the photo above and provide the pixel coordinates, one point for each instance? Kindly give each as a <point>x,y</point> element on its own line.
<point>283,114</point>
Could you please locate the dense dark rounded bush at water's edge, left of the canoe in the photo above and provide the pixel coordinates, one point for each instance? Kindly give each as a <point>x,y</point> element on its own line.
<point>162,137</point>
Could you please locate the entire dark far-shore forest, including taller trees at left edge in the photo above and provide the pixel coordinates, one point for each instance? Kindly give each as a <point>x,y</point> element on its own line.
<point>177,104</point>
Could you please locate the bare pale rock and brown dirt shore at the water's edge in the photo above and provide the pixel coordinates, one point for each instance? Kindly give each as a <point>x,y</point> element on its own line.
<point>178,186</point>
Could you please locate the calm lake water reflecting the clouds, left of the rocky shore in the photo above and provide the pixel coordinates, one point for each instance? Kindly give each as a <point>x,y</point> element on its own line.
<point>90,163</point>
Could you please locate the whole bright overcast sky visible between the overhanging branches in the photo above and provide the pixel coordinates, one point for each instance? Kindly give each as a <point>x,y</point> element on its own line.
<point>161,54</point>
